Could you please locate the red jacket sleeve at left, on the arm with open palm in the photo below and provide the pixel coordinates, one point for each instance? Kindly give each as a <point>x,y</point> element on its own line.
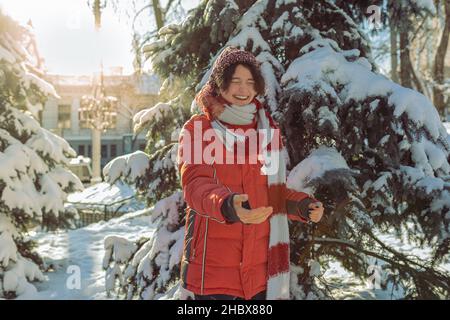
<point>200,188</point>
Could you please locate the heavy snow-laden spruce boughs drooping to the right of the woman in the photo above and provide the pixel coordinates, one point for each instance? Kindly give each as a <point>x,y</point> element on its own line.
<point>392,139</point>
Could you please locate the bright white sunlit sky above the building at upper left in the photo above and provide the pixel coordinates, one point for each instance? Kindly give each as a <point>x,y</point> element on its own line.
<point>66,36</point>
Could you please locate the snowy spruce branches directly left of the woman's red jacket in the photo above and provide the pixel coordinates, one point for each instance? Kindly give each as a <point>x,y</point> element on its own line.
<point>147,268</point>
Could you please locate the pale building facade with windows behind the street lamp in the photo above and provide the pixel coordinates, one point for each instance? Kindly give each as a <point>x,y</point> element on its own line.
<point>133,93</point>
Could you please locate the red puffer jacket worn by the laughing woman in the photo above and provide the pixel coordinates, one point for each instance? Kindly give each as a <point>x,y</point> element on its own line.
<point>221,257</point>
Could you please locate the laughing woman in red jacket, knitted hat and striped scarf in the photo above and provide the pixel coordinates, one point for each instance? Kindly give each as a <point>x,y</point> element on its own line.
<point>237,237</point>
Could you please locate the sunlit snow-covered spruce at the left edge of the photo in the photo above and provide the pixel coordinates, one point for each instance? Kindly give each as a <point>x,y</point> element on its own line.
<point>33,179</point>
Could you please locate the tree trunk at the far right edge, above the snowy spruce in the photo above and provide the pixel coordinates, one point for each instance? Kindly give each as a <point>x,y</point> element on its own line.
<point>438,74</point>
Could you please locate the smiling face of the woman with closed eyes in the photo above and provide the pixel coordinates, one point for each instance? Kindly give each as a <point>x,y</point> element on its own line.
<point>241,89</point>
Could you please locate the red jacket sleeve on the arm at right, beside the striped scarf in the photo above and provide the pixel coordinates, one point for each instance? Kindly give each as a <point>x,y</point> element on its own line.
<point>297,204</point>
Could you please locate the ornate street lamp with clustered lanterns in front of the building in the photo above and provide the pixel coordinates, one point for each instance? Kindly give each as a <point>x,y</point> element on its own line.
<point>99,112</point>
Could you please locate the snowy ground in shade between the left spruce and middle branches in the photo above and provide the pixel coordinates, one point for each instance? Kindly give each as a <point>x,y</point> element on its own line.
<point>84,248</point>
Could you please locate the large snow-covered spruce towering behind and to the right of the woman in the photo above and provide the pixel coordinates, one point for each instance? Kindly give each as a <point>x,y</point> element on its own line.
<point>374,152</point>
